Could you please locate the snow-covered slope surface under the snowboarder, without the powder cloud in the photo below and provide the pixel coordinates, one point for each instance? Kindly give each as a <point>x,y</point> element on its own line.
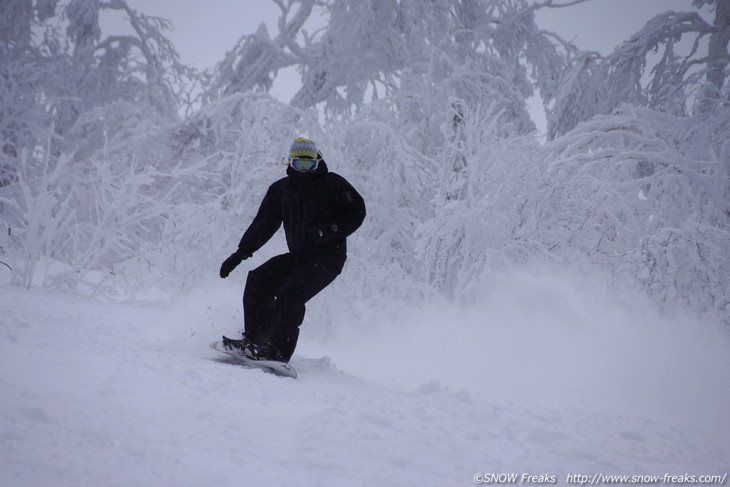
<point>117,395</point>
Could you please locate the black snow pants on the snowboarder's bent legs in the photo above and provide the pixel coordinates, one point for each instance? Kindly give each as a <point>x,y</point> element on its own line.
<point>275,294</point>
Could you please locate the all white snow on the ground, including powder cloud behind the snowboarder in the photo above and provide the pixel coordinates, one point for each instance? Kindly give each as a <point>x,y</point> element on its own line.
<point>544,377</point>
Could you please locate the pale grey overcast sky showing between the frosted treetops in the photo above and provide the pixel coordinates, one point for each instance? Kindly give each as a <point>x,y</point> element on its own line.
<point>204,31</point>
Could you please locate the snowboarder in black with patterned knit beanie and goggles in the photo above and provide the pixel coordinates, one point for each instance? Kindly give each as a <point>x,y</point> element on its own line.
<point>319,209</point>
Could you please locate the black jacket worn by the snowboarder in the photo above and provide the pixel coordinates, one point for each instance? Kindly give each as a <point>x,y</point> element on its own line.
<point>318,209</point>
